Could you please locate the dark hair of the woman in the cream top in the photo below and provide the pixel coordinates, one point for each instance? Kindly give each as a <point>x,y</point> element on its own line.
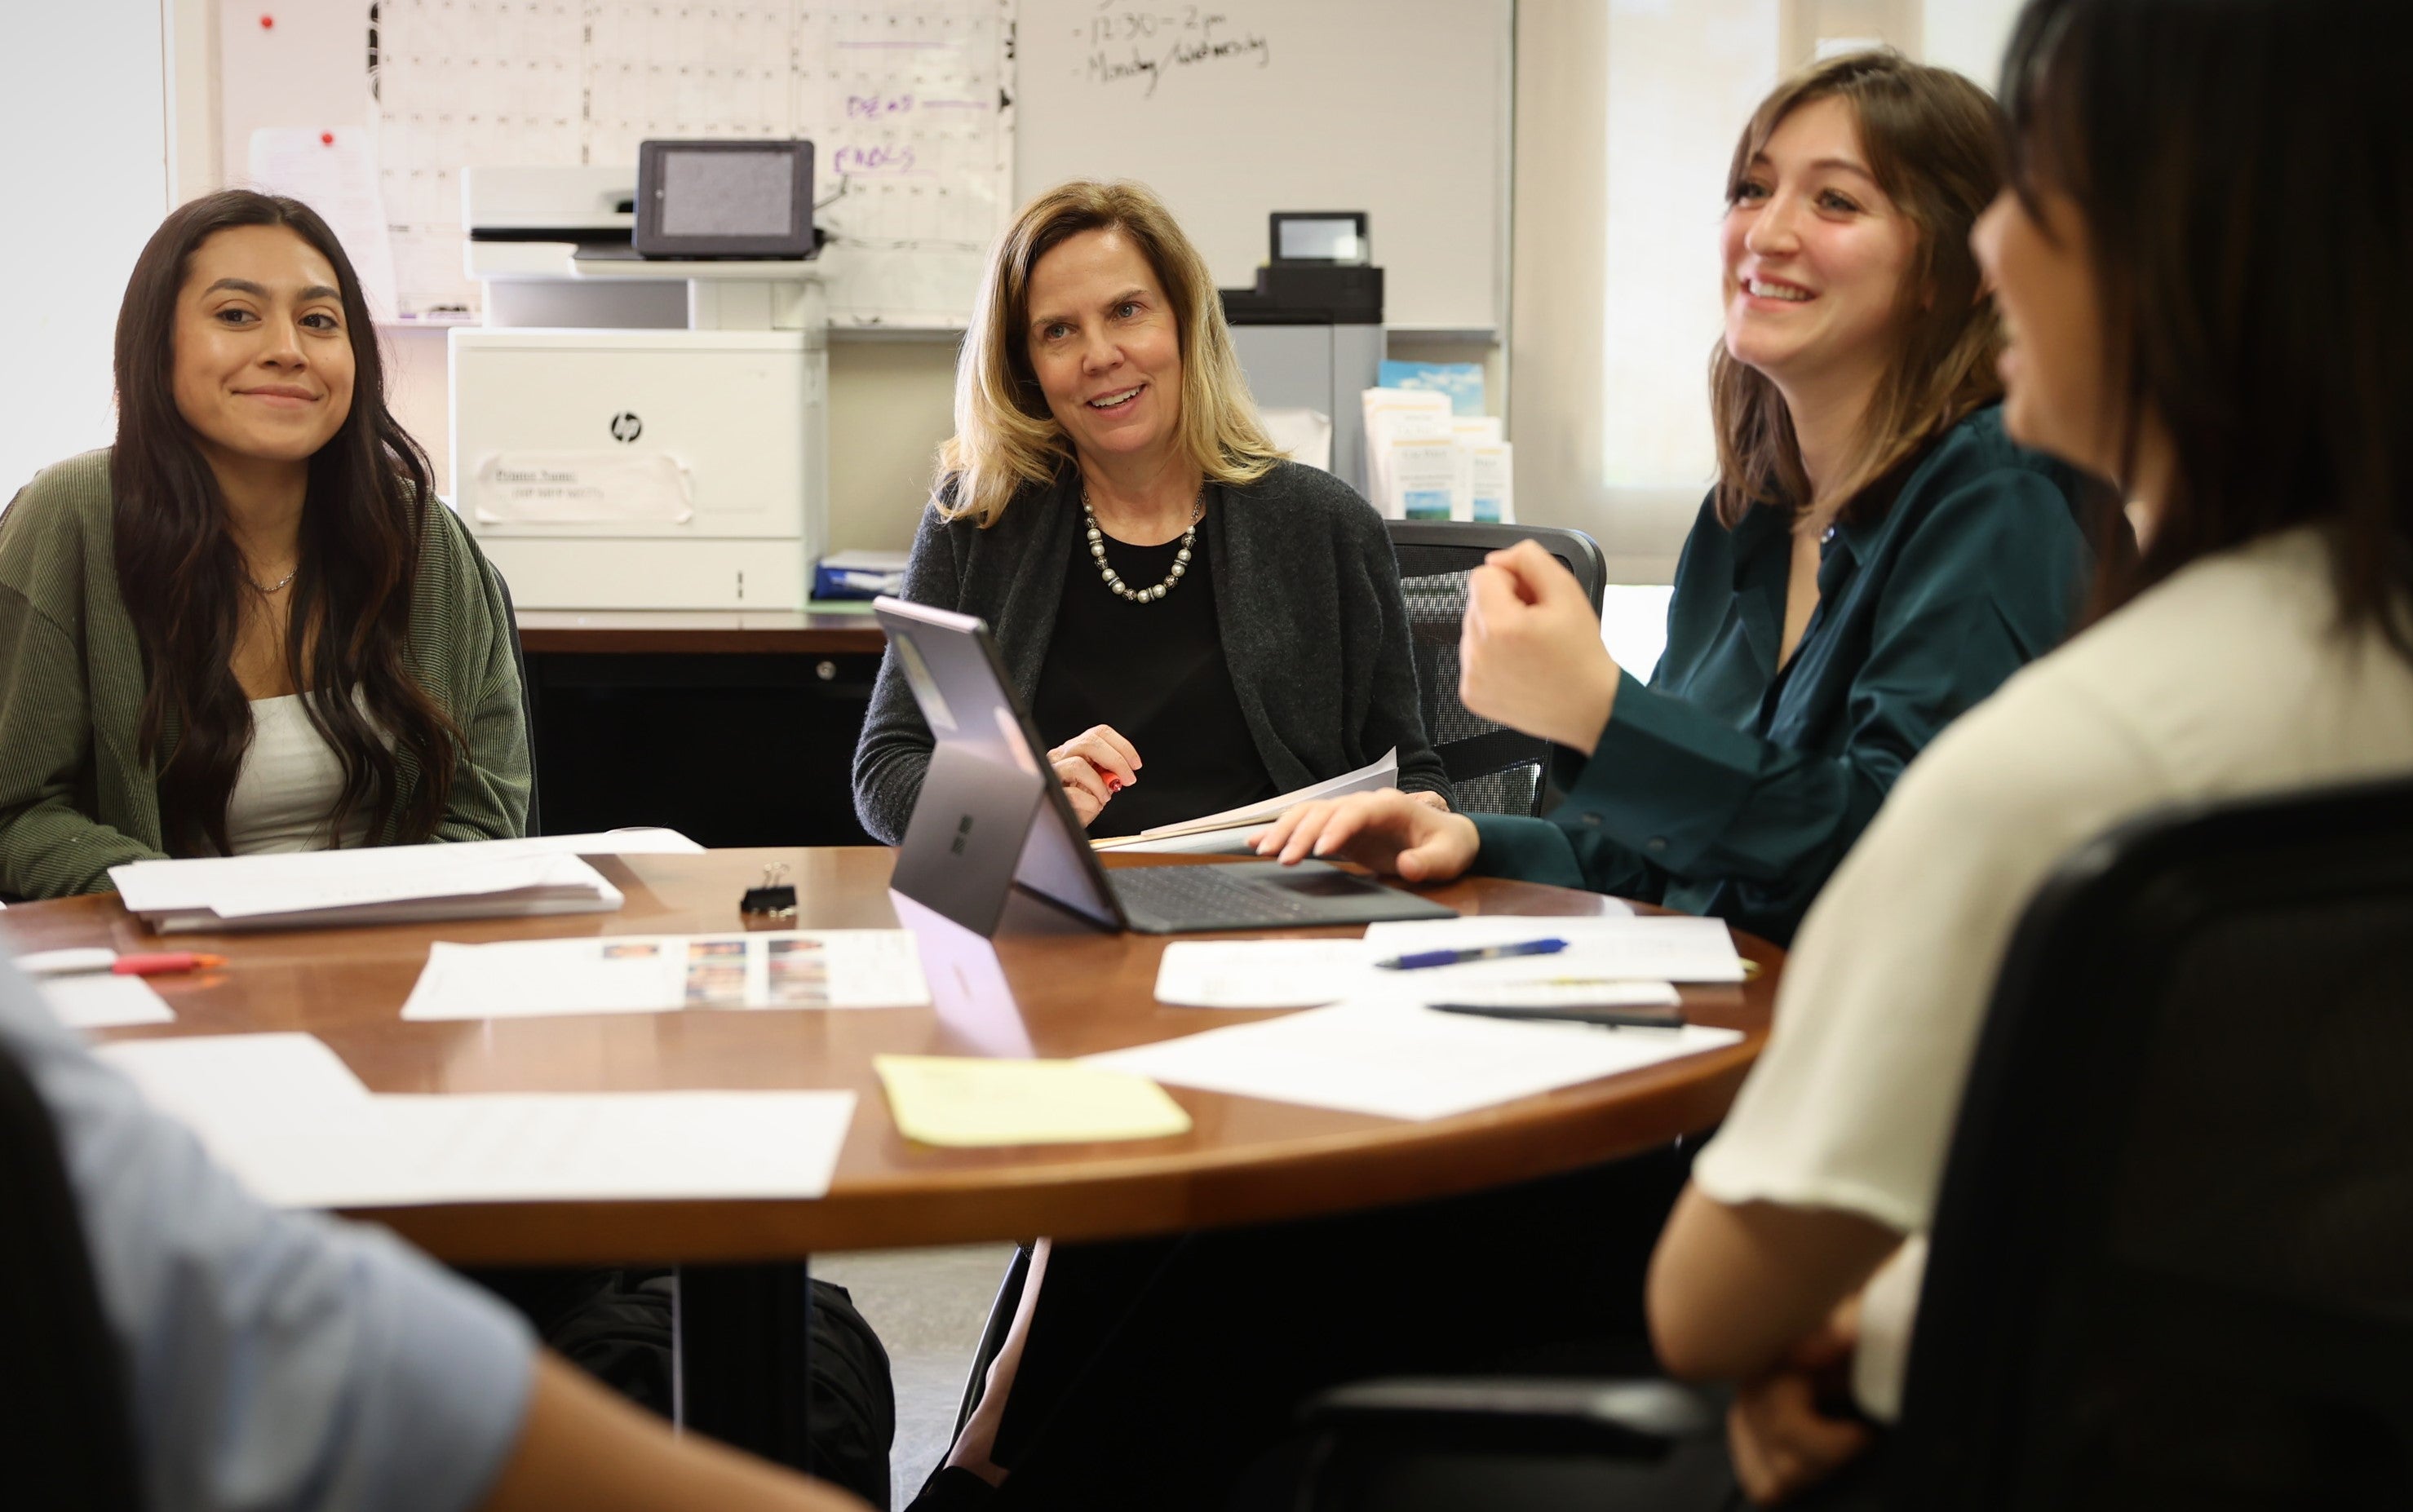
<point>2245,175</point>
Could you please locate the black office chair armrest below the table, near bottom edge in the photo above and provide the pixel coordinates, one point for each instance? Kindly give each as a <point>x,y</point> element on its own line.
<point>1630,1419</point>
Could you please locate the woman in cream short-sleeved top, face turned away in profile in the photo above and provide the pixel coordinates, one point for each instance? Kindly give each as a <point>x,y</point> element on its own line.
<point>2209,209</point>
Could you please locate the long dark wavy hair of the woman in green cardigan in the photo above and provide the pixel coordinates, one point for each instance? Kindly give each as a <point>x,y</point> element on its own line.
<point>182,575</point>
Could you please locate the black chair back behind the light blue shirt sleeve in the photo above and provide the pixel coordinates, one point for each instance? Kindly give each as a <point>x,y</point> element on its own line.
<point>66,1438</point>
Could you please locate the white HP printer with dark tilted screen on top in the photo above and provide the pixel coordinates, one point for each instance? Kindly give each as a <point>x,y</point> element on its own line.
<point>643,418</point>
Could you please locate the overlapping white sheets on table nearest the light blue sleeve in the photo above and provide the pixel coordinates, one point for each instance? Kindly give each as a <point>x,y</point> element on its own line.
<point>300,1130</point>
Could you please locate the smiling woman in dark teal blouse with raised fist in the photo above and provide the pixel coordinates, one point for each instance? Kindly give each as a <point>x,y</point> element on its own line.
<point>1874,561</point>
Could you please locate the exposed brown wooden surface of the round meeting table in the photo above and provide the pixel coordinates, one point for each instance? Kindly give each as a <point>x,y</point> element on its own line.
<point>1048,988</point>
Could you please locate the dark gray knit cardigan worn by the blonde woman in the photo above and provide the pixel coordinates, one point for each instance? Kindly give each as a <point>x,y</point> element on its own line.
<point>1307,597</point>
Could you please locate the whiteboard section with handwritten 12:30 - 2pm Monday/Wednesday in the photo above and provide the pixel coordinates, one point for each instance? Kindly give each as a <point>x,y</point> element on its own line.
<point>1246,107</point>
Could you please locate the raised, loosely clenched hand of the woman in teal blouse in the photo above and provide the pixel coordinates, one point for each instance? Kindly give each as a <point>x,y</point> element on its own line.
<point>1529,650</point>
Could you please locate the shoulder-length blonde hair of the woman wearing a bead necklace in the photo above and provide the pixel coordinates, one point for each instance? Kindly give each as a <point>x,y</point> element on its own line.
<point>1005,438</point>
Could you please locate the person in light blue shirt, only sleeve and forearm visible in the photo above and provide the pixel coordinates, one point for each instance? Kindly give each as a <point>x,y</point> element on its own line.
<point>291,1361</point>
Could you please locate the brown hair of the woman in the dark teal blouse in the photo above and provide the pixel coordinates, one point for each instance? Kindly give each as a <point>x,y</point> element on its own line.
<point>1934,146</point>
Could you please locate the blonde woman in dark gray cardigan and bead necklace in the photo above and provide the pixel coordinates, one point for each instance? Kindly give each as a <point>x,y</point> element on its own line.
<point>1193,621</point>
